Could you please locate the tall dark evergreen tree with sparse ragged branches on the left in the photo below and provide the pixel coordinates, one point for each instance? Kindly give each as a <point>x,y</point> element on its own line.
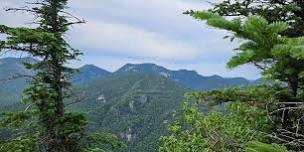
<point>48,127</point>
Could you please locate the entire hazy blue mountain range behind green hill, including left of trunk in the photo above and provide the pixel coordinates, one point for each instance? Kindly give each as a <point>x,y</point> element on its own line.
<point>15,78</point>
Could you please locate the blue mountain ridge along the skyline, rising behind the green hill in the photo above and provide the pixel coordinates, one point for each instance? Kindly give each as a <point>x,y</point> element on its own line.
<point>189,78</point>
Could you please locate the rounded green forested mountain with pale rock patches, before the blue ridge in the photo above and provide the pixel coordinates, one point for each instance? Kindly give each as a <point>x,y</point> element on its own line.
<point>132,105</point>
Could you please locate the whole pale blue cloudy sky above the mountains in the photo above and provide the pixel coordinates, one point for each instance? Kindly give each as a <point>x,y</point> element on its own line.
<point>117,32</point>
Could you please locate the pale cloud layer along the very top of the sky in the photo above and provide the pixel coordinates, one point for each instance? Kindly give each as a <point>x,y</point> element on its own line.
<point>165,16</point>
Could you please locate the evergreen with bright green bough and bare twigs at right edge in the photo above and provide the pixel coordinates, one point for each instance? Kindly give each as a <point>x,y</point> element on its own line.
<point>279,56</point>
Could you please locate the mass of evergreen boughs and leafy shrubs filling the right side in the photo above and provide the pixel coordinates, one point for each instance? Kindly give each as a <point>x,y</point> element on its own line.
<point>271,35</point>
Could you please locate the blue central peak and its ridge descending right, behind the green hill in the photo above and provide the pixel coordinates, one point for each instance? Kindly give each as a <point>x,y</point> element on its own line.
<point>190,79</point>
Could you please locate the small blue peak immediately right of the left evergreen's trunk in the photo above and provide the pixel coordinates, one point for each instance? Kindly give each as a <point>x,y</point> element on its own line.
<point>89,73</point>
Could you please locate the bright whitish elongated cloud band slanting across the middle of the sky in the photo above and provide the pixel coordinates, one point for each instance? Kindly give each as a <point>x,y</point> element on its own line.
<point>121,39</point>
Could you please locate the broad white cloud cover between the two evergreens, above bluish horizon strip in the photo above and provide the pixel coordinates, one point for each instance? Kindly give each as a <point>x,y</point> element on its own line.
<point>145,29</point>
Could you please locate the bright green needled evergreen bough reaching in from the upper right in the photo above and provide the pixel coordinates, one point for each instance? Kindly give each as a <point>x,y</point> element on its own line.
<point>264,46</point>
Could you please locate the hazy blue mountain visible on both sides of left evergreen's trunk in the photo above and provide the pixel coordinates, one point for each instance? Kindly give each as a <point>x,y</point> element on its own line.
<point>14,79</point>
